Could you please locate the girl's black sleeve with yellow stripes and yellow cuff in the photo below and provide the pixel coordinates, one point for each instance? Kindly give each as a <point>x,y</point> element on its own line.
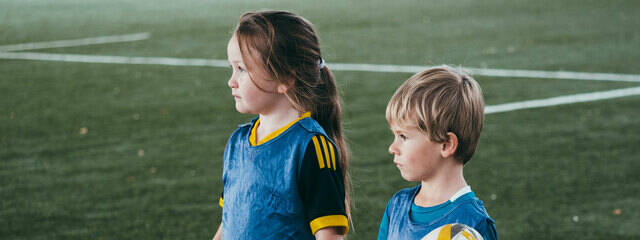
<point>321,186</point>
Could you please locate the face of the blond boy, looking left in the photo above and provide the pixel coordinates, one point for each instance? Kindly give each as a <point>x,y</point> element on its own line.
<point>414,154</point>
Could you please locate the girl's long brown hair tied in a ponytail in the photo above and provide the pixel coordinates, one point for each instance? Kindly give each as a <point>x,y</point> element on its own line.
<point>287,47</point>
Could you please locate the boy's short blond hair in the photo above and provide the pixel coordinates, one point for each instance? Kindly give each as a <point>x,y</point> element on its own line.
<point>440,100</point>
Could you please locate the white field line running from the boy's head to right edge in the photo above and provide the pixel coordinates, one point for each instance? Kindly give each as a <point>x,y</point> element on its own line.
<point>568,99</point>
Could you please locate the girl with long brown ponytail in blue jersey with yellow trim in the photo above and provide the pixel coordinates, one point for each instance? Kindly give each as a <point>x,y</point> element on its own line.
<point>285,172</point>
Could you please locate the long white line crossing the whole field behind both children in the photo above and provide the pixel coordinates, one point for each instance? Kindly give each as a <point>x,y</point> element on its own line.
<point>333,66</point>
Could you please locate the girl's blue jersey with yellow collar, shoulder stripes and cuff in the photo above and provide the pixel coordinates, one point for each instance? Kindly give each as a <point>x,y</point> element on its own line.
<point>262,199</point>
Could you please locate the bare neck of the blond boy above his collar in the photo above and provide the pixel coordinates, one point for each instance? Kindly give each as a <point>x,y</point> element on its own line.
<point>441,187</point>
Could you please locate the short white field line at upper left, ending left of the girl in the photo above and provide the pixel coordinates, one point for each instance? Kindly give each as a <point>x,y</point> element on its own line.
<point>75,42</point>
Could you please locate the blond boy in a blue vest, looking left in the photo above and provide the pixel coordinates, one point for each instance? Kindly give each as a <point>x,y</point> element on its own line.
<point>436,118</point>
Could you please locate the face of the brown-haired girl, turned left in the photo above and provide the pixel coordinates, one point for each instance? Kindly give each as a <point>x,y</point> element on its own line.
<point>249,98</point>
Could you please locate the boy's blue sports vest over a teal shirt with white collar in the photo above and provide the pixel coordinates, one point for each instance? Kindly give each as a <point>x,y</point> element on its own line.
<point>405,220</point>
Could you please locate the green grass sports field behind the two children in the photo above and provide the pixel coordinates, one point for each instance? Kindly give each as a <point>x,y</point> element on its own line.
<point>125,151</point>
